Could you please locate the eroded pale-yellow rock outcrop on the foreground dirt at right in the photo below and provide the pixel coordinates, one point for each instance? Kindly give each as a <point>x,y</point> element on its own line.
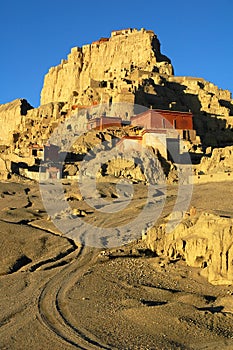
<point>203,241</point>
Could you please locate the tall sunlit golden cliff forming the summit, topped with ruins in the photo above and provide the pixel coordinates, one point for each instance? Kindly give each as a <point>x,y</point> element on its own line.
<point>96,72</point>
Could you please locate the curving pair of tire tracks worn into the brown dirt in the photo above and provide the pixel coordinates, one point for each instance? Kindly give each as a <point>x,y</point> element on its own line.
<point>52,299</point>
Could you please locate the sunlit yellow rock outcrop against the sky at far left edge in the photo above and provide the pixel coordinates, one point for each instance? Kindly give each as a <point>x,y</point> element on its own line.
<point>11,116</point>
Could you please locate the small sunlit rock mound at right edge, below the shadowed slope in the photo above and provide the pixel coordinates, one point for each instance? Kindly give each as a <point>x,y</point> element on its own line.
<point>219,161</point>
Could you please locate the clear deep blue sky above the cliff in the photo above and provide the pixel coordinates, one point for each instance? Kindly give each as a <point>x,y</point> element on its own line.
<point>196,35</point>
